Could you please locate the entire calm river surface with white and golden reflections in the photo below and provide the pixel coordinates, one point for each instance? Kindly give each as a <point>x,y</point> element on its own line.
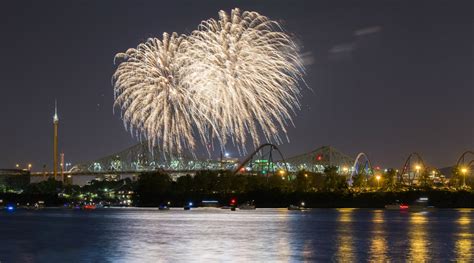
<point>149,235</point>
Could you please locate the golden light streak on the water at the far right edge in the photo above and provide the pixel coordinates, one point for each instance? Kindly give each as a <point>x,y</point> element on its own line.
<point>464,244</point>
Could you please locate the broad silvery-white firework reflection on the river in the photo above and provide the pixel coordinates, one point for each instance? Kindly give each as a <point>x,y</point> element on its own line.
<point>209,235</point>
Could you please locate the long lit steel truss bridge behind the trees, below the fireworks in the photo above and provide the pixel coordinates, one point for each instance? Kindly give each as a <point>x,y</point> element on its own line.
<point>266,159</point>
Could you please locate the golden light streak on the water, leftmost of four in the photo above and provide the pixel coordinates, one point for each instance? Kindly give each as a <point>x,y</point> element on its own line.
<point>345,235</point>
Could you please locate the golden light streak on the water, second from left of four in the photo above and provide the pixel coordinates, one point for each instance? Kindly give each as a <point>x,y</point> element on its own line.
<point>378,244</point>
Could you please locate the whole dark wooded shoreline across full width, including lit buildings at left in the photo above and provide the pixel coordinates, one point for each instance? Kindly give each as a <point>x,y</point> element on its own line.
<point>328,189</point>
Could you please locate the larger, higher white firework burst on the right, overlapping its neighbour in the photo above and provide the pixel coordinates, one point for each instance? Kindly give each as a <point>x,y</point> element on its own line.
<point>244,72</point>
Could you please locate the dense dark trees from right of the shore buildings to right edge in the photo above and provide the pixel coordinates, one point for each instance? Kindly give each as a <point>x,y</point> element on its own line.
<point>327,189</point>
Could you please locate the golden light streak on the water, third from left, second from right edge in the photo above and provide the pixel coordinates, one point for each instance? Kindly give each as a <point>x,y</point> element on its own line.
<point>418,236</point>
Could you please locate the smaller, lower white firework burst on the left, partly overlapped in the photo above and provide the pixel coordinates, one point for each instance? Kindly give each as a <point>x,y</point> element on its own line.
<point>151,96</point>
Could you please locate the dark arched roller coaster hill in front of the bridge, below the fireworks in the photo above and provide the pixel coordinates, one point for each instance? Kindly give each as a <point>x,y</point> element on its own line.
<point>265,152</point>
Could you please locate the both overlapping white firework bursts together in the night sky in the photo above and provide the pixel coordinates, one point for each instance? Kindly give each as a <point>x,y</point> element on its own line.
<point>234,79</point>
